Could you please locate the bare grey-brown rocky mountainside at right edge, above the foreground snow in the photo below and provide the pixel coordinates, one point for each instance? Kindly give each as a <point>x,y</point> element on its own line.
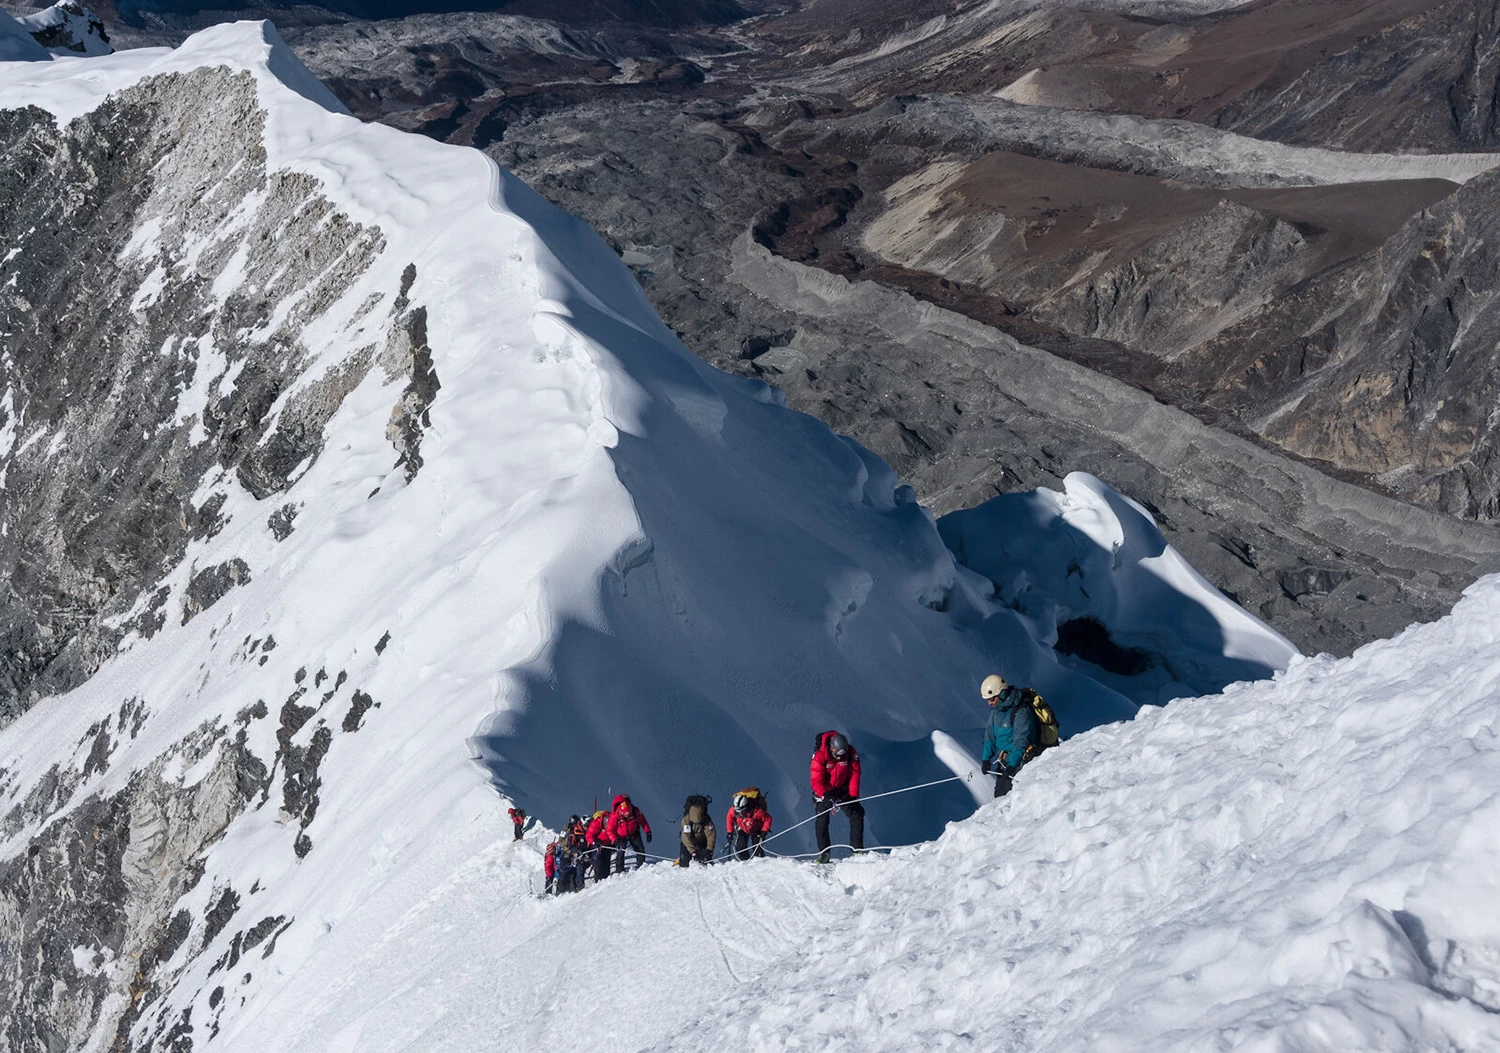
<point>1387,365</point>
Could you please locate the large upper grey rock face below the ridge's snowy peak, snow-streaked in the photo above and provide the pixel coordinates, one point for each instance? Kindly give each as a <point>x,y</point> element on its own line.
<point>149,253</point>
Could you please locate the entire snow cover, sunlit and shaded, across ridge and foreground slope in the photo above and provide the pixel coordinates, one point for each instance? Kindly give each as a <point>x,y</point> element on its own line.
<point>619,569</point>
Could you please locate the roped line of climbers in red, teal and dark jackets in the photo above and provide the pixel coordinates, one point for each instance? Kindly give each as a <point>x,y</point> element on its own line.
<point>1021,727</point>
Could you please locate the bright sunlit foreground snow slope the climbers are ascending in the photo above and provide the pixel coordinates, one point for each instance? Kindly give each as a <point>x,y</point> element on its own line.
<point>1306,865</point>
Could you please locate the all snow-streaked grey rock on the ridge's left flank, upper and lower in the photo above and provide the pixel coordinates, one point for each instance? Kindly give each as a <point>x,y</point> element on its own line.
<point>161,289</point>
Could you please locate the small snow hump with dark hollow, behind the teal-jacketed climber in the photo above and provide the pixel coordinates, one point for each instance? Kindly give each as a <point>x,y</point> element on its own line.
<point>1093,574</point>
